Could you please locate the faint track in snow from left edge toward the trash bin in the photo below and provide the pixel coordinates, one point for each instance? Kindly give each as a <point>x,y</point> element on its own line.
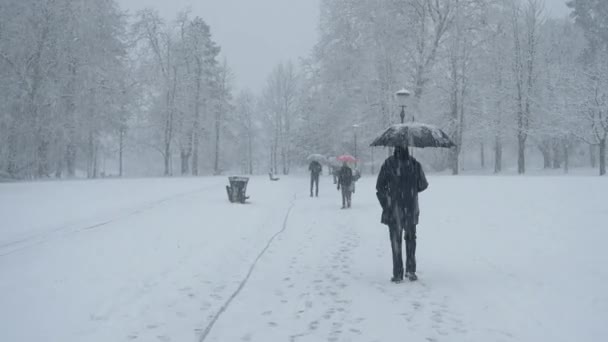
<point>38,239</point>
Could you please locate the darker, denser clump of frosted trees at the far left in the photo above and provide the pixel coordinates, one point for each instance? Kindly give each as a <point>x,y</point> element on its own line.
<point>61,67</point>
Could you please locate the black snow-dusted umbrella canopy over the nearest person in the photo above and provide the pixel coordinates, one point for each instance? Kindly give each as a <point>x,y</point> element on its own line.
<point>414,134</point>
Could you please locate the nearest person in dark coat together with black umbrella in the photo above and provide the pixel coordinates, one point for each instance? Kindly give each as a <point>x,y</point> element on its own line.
<point>400,180</point>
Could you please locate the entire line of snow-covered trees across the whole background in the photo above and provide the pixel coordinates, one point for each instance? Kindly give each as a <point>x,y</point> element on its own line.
<point>85,87</point>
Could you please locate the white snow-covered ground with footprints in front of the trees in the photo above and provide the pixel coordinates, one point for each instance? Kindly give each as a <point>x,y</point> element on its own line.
<point>499,258</point>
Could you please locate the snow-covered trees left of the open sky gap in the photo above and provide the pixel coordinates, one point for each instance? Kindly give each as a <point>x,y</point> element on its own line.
<point>84,89</point>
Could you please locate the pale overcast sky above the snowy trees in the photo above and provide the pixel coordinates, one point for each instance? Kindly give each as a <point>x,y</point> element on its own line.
<point>255,35</point>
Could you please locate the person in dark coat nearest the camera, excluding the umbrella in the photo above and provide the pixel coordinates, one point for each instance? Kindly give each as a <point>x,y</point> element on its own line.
<point>400,180</point>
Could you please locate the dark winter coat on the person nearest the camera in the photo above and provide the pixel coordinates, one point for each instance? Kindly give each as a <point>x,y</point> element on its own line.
<point>400,180</point>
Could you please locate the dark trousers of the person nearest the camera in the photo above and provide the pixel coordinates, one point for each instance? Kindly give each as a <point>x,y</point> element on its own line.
<point>397,233</point>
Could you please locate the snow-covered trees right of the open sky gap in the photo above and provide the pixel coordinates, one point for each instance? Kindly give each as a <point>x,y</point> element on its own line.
<point>499,76</point>
